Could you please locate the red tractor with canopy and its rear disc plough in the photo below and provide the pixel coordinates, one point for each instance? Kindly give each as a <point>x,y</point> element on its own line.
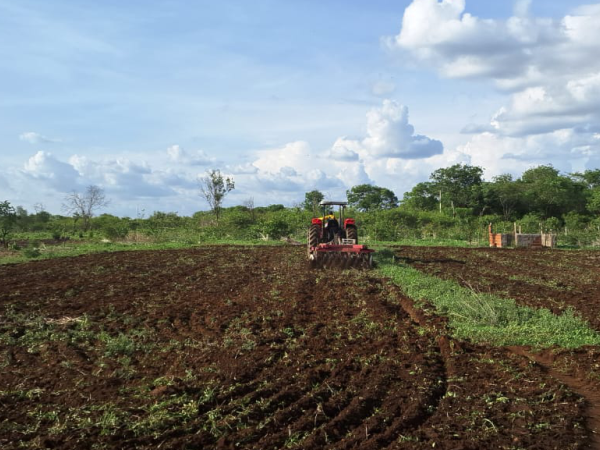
<point>333,241</point>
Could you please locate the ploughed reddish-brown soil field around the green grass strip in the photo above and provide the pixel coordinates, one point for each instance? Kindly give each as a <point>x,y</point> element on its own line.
<point>225,347</point>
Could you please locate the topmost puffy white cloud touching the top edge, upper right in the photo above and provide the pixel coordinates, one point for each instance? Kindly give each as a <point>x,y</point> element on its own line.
<point>460,45</point>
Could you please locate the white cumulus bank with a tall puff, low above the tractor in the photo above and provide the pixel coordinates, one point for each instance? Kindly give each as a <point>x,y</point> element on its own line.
<point>390,155</point>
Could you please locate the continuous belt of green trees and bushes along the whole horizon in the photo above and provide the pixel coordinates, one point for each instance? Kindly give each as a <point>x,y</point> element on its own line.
<point>456,203</point>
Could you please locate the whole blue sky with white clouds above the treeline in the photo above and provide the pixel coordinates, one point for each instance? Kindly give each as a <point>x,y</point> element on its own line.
<point>141,98</point>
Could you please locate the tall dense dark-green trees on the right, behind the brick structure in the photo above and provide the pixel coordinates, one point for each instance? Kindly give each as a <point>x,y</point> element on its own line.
<point>541,191</point>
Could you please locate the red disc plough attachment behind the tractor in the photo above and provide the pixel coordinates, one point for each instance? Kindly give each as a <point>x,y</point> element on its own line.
<point>340,256</point>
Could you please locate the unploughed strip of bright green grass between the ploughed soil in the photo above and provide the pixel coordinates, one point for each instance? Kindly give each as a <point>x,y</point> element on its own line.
<point>487,318</point>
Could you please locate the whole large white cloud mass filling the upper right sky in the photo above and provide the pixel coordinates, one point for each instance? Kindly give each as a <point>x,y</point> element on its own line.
<point>549,69</point>
